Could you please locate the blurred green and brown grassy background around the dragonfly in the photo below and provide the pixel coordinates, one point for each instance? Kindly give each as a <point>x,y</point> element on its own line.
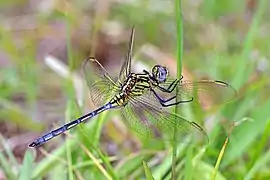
<point>42,46</point>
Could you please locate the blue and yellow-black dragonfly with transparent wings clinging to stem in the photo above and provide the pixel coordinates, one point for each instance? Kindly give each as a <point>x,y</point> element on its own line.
<point>144,99</point>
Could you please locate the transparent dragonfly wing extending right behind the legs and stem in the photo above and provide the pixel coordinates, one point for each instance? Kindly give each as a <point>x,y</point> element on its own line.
<point>204,92</point>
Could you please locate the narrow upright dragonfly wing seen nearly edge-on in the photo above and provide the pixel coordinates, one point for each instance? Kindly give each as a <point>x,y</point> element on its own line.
<point>126,66</point>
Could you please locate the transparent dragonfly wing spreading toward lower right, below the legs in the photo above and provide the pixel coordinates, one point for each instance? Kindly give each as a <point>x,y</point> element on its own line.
<point>144,115</point>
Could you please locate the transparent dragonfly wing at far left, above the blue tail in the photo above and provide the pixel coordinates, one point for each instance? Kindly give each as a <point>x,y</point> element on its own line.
<point>101,84</point>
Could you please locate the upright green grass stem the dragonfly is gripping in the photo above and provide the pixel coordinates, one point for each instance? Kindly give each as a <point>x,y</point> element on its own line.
<point>179,46</point>
